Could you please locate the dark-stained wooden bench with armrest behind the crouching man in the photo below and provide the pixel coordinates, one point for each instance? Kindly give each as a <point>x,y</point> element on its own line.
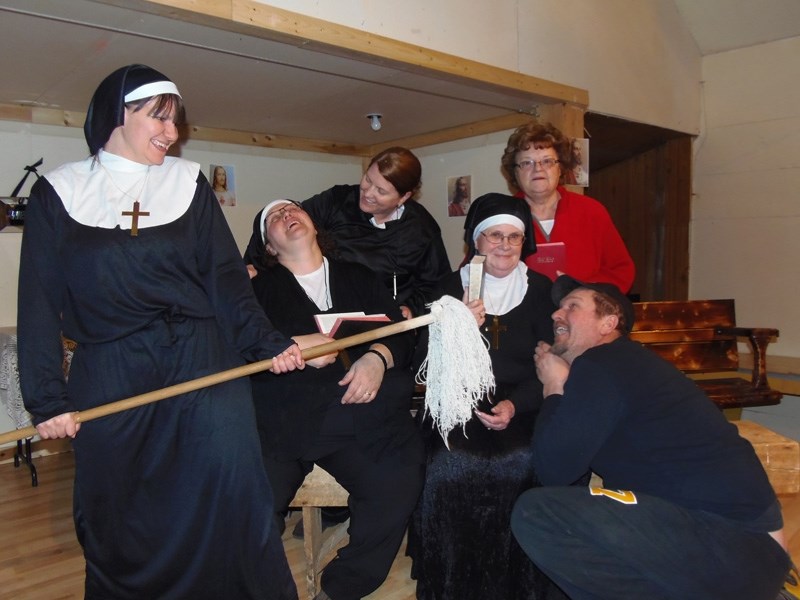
<point>701,336</point>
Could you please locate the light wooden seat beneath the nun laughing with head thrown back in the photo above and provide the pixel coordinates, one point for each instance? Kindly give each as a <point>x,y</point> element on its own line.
<point>319,489</point>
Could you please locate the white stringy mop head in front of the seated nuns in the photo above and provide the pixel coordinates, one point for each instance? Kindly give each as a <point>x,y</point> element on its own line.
<point>457,372</point>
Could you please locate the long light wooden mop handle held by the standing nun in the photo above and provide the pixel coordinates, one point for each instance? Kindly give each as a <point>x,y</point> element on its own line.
<point>223,376</point>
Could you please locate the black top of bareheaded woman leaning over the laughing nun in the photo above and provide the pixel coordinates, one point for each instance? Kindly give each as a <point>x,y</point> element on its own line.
<point>410,248</point>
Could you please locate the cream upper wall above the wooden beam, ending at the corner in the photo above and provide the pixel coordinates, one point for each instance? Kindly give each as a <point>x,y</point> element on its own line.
<point>636,57</point>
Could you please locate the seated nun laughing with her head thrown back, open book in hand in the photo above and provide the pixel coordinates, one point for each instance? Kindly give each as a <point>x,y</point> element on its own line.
<point>349,415</point>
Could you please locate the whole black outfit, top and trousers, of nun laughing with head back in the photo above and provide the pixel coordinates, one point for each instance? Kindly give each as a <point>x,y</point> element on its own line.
<point>373,450</point>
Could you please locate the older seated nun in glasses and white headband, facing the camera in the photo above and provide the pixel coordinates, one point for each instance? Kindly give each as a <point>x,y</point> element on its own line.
<point>460,537</point>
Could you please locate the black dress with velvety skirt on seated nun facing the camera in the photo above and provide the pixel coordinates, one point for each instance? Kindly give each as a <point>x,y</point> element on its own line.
<point>460,536</point>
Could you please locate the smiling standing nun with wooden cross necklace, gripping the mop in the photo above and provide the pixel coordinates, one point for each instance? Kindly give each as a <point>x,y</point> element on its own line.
<point>127,253</point>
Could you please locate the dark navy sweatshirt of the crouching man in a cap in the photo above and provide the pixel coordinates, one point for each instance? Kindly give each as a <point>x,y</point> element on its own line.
<point>642,425</point>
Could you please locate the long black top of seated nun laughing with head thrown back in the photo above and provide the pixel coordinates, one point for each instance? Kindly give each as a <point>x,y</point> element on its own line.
<point>291,408</point>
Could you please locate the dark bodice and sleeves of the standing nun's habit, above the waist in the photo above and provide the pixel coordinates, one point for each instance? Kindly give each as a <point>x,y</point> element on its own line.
<point>98,285</point>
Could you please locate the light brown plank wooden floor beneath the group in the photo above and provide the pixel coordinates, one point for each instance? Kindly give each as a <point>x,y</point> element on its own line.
<point>40,558</point>
